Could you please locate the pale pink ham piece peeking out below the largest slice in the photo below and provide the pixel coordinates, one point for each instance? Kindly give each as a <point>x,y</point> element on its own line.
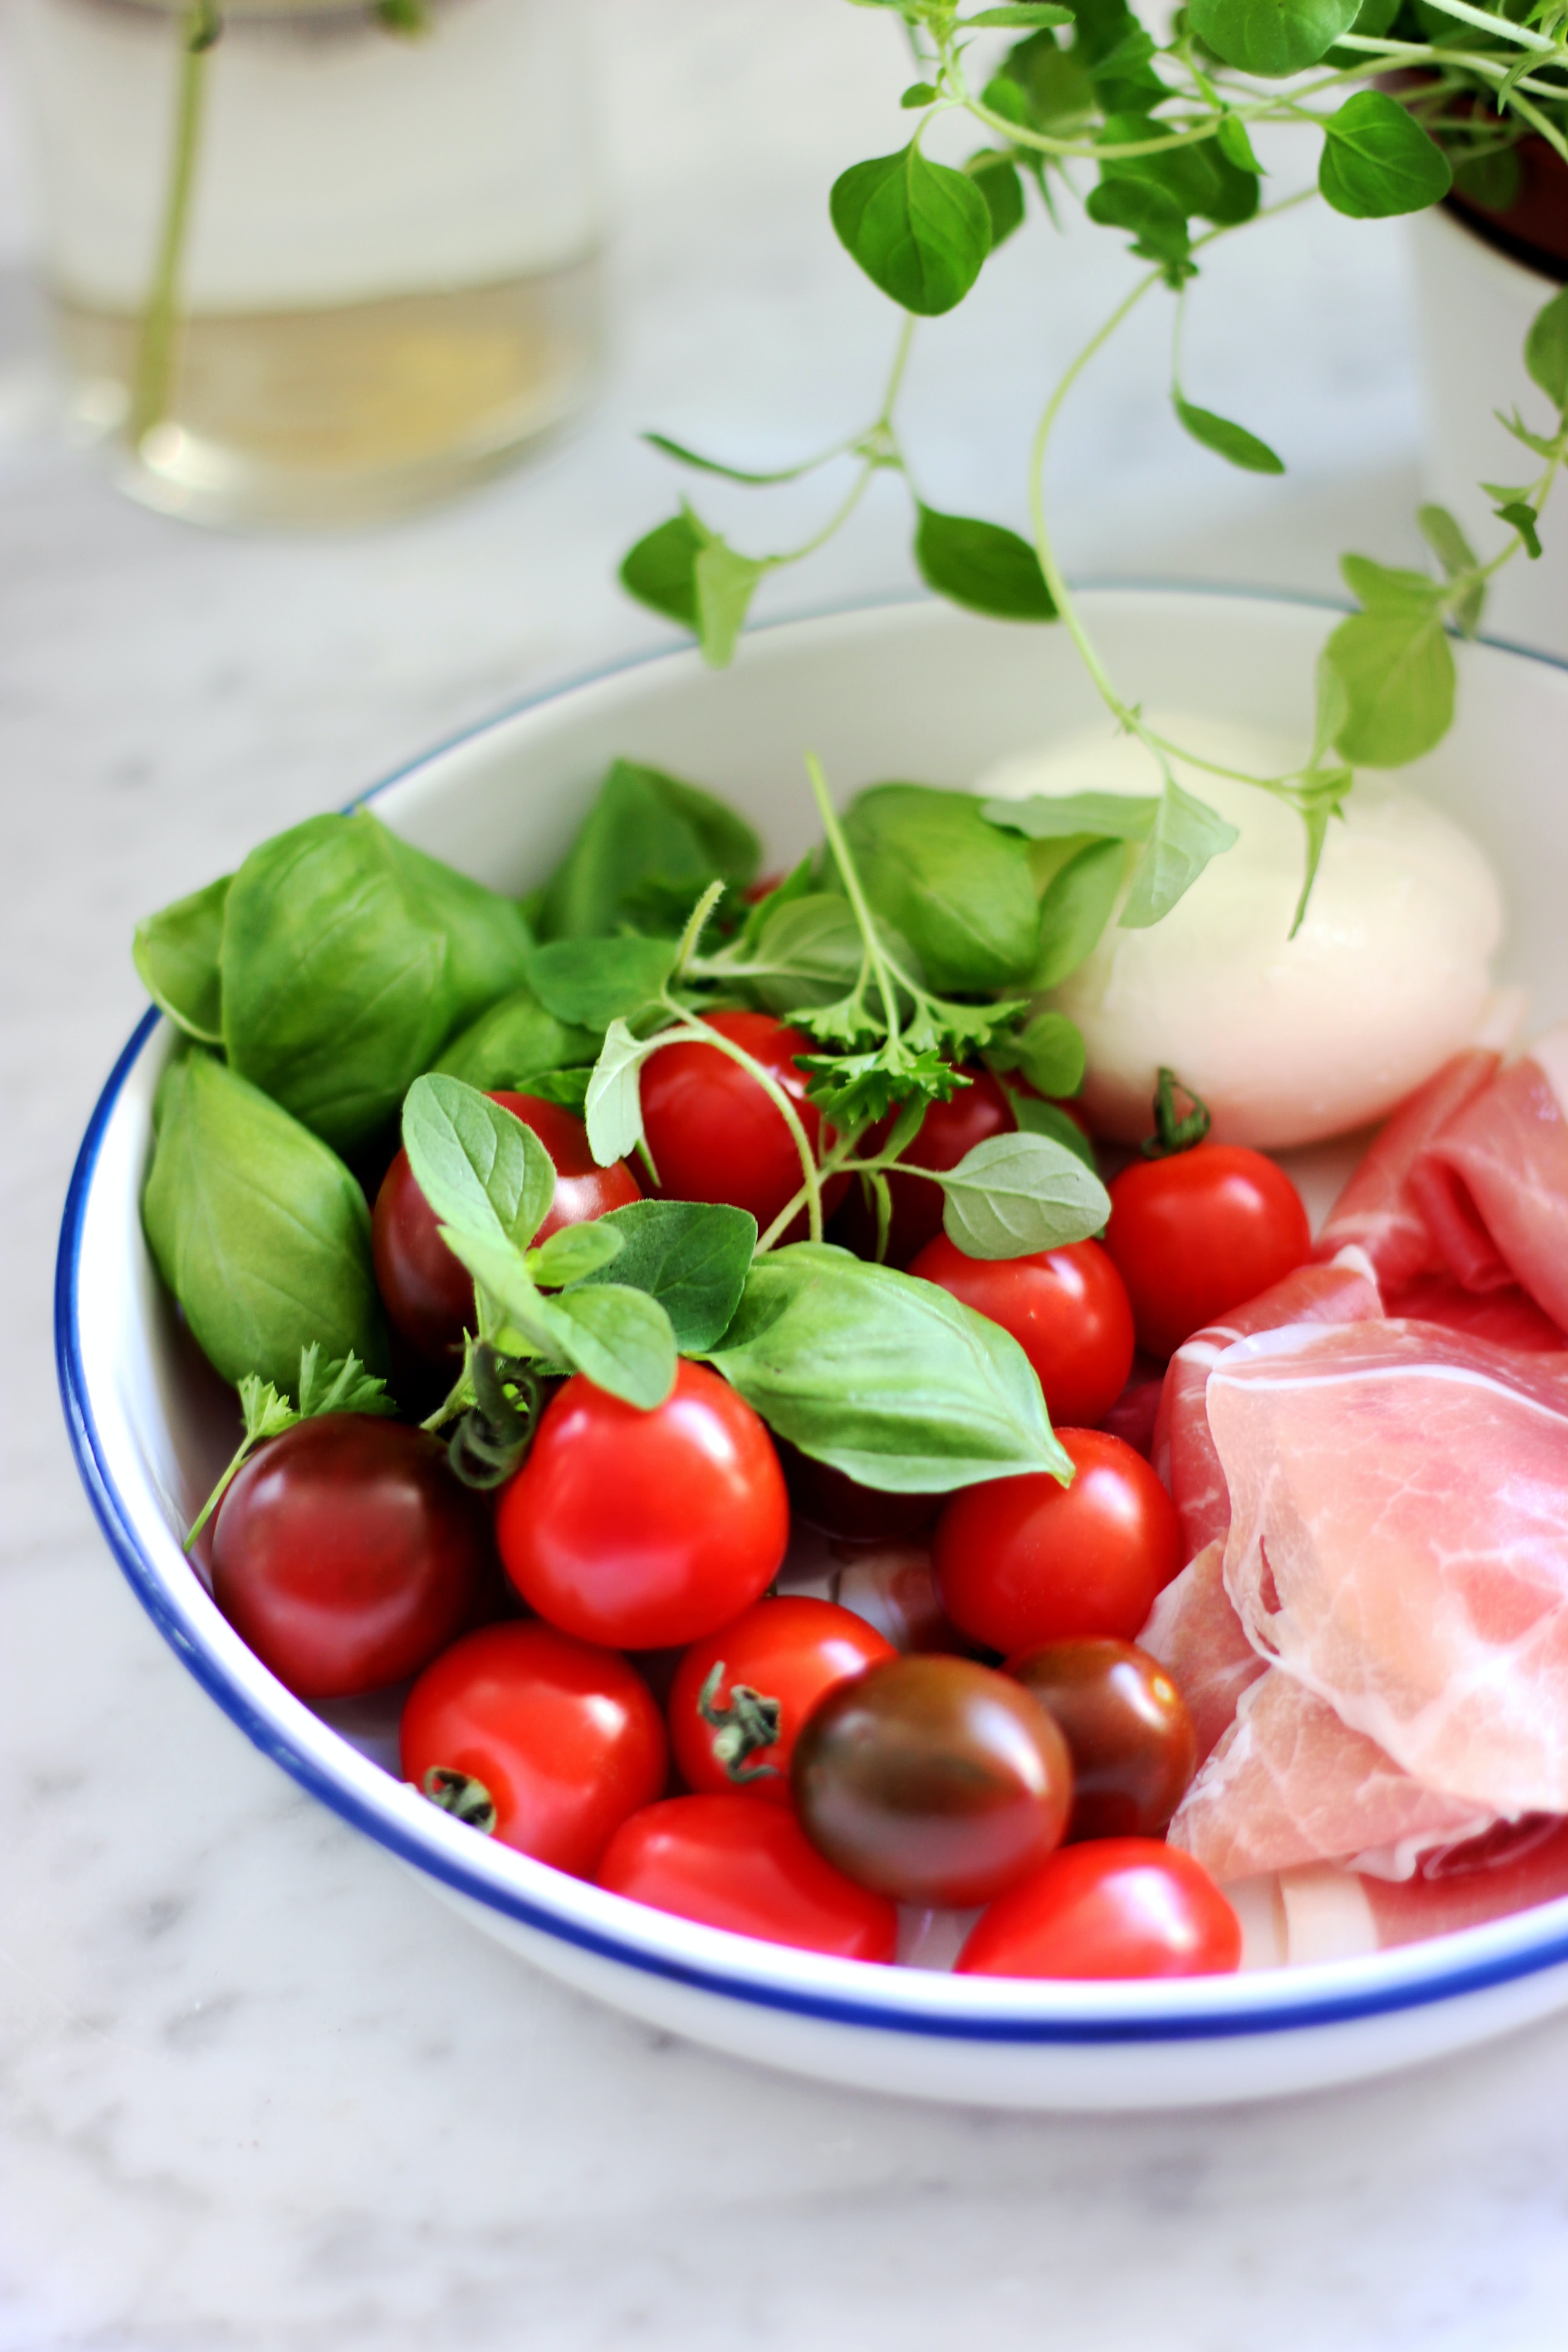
<point>1292,1784</point>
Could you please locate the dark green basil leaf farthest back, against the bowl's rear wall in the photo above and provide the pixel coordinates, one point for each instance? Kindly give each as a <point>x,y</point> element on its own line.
<point>645,831</point>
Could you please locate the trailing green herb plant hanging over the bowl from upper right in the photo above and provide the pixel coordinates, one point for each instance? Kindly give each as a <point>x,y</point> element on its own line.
<point>1170,126</point>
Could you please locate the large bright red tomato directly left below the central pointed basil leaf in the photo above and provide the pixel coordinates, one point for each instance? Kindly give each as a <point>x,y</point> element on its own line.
<point>645,1530</point>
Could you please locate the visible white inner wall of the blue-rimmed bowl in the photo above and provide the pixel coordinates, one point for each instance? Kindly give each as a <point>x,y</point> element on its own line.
<point>918,693</point>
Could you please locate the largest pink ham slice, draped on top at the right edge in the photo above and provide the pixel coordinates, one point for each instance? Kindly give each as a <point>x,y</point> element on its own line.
<point>1400,1544</point>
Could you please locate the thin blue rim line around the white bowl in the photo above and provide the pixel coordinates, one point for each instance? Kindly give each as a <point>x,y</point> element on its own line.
<point>1287,2014</point>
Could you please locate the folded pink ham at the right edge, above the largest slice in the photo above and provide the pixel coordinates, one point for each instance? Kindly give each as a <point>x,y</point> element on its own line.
<point>1492,1187</point>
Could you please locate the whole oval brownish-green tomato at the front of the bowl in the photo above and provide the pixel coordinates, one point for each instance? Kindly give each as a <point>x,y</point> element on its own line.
<point>932,1782</point>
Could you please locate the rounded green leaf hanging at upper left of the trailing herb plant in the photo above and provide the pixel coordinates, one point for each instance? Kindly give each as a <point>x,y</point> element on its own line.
<point>918,229</point>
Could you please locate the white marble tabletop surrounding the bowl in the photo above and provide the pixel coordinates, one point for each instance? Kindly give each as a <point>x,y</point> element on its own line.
<point>257,2090</point>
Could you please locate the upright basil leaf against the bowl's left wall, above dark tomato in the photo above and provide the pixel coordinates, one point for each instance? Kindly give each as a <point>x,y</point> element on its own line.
<point>257,1229</point>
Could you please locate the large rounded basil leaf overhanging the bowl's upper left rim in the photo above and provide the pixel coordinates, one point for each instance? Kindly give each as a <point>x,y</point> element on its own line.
<point>349,961</point>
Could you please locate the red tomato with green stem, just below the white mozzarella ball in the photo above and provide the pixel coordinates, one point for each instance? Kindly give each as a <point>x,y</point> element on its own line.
<point>1202,1234</point>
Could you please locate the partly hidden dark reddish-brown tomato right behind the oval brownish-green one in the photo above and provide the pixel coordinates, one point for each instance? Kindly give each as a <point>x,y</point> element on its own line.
<point>1134,1749</point>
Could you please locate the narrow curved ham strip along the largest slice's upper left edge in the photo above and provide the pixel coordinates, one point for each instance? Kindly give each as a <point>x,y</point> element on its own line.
<point>1184,1450</point>
